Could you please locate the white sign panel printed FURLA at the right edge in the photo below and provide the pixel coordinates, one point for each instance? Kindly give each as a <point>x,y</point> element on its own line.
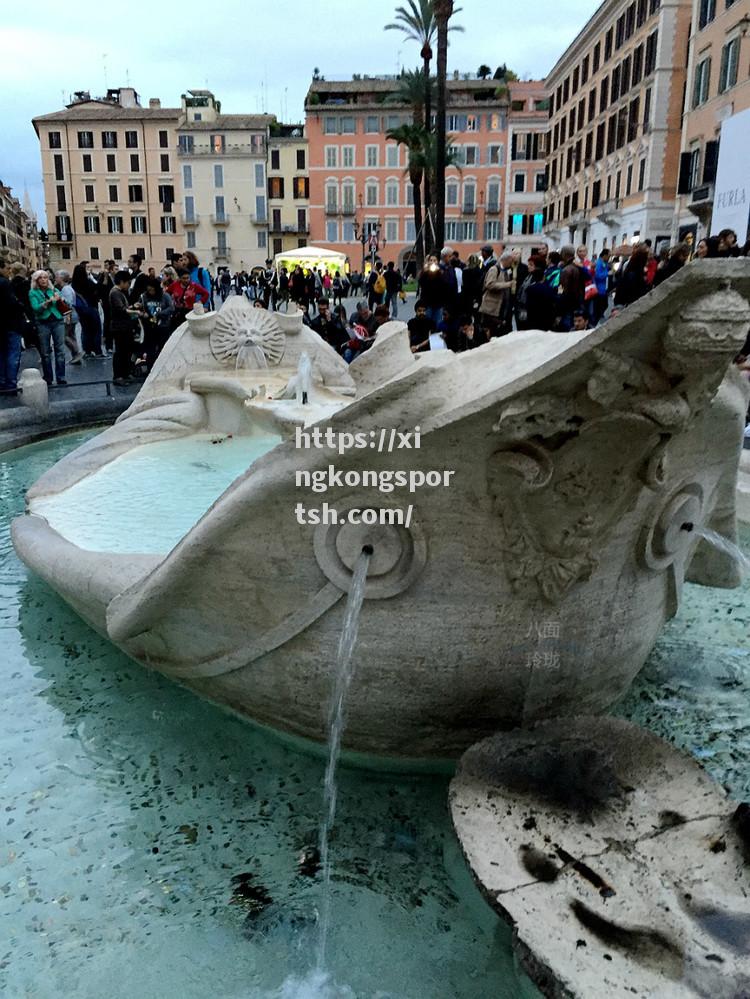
<point>732,191</point>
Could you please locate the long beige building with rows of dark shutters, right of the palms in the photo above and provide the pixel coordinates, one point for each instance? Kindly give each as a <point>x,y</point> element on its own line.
<point>617,96</point>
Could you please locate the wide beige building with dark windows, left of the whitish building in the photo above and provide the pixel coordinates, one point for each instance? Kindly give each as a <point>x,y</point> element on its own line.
<point>109,169</point>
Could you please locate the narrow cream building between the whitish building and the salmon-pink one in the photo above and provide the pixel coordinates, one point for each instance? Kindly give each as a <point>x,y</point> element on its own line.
<point>288,188</point>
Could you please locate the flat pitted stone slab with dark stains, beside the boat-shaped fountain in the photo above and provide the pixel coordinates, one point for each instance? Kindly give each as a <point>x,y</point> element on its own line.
<point>622,868</point>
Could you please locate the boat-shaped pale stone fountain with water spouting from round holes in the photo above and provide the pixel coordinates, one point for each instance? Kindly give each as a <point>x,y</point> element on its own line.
<point>533,587</point>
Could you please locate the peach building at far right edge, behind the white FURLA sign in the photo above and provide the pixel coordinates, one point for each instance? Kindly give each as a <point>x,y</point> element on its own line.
<point>718,87</point>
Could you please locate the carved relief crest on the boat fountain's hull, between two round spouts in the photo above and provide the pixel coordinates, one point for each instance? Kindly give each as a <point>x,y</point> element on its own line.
<point>569,468</point>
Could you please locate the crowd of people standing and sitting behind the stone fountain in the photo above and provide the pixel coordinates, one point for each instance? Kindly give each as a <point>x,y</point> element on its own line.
<point>130,314</point>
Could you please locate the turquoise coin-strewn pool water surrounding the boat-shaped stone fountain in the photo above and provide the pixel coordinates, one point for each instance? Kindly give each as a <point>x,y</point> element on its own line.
<point>151,843</point>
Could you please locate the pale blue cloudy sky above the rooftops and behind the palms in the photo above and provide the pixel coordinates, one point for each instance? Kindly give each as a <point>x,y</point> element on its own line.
<point>254,56</point>
